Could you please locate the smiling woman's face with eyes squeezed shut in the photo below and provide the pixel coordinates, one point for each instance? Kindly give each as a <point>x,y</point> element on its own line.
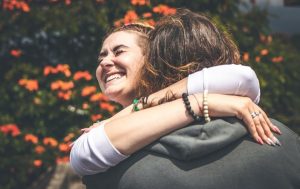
<point>120,61</point>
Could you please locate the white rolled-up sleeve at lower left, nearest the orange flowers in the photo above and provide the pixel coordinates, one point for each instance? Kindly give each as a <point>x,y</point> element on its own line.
<point>93,152</point>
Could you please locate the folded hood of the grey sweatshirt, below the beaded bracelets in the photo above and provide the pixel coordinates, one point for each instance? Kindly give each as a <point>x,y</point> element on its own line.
<point>199,139</point>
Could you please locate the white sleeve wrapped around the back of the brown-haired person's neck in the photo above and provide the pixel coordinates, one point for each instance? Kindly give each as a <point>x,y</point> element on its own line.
<point>228,79</point>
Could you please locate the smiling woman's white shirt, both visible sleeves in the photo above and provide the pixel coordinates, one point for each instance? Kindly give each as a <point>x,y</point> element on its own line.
<point>93,152</point>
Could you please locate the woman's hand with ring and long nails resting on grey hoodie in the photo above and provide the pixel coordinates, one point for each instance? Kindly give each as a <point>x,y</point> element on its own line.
<point>258,123</point>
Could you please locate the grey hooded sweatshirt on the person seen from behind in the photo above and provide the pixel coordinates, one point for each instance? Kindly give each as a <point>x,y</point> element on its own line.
<point>219,154</point>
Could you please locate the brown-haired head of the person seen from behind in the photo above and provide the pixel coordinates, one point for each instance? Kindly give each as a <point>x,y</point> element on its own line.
<point>181,44</point>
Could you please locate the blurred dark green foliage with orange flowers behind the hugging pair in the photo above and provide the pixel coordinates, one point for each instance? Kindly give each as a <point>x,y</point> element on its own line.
<point>48,57</point>
